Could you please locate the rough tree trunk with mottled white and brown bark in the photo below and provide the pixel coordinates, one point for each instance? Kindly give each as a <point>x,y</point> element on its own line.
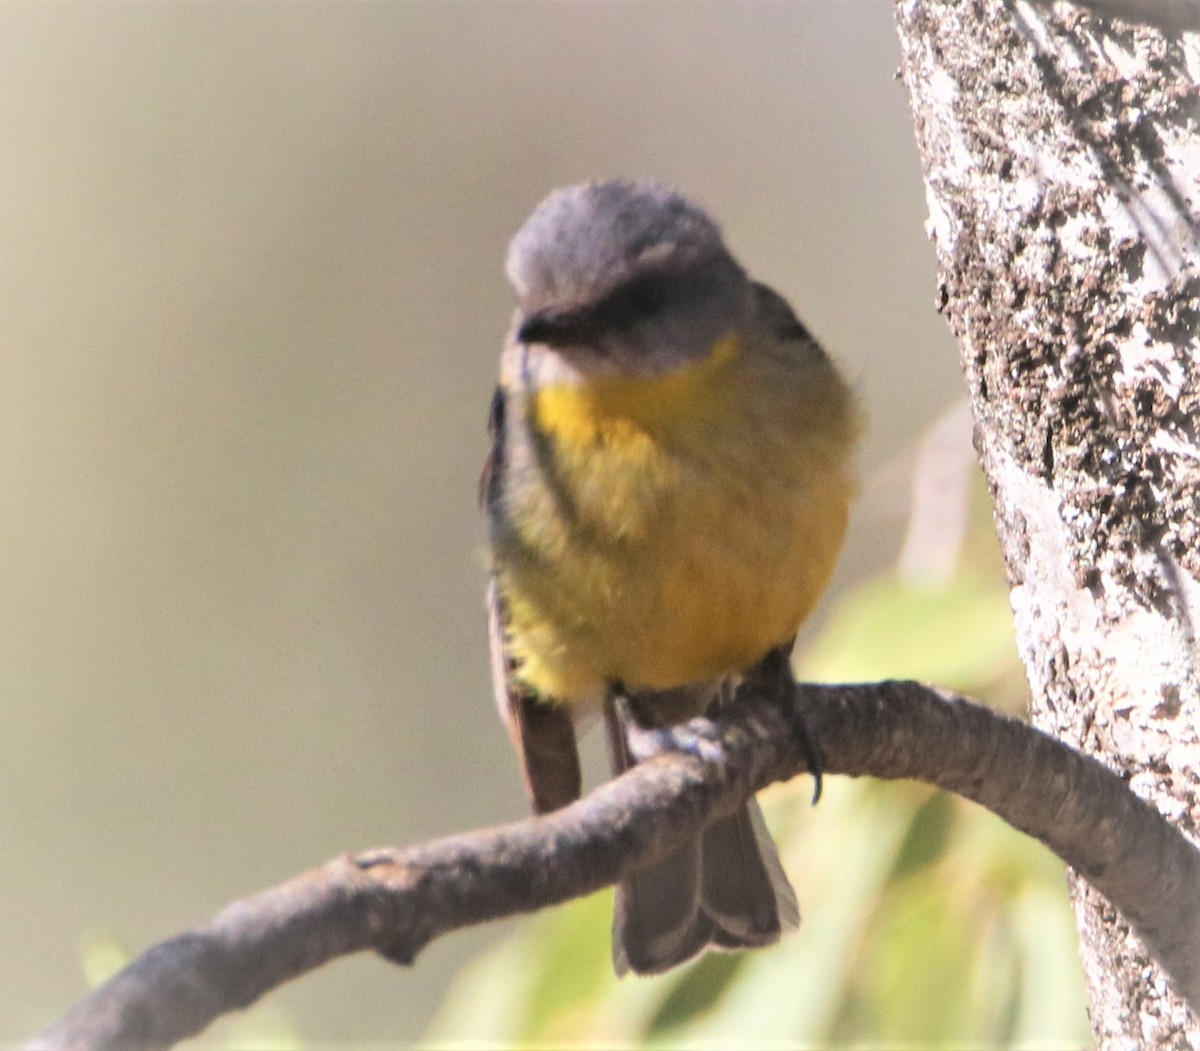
<point>1063,166</point>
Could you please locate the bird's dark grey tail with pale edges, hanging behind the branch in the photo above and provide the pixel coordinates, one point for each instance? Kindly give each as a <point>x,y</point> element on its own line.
<point>727,892</point>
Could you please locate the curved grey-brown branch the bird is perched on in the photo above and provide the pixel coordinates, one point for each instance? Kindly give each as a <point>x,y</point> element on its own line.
<point>397,902</point>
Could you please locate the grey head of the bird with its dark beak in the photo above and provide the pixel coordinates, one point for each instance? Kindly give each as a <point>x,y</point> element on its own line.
<point>626,274</point>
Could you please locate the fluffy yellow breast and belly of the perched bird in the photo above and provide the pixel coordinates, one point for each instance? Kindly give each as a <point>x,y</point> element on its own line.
<point>675,528</point>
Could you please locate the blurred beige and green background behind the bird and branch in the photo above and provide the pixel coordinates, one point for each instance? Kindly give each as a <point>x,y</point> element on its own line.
<point>253,307</point>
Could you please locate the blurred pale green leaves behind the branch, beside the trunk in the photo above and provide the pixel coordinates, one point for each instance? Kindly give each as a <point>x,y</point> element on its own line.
<point>928,922</point>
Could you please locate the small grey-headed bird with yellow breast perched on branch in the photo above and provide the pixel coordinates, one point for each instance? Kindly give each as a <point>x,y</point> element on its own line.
<point>667,495</point>
